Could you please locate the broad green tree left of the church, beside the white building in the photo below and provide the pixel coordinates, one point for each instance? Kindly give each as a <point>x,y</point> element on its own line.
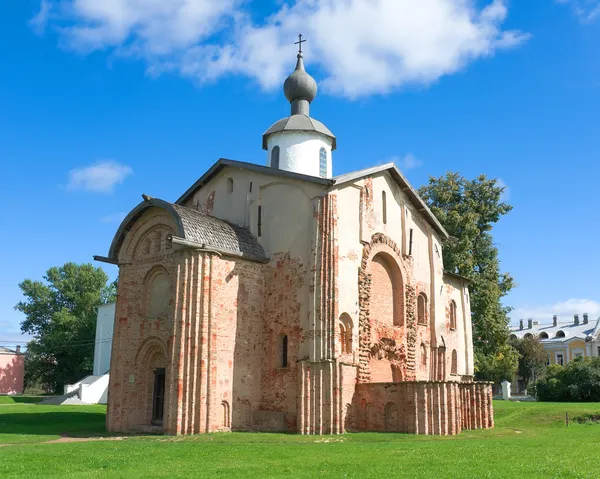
<point>60,314</point>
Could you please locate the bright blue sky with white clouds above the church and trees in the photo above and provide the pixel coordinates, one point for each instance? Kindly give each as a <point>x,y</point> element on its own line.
<point>103,101</point>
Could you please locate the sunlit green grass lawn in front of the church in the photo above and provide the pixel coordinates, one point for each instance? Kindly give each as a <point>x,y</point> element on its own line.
<point>530,440</point>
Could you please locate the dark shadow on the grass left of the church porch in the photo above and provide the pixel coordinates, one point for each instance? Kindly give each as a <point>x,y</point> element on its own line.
<point>59,423</point>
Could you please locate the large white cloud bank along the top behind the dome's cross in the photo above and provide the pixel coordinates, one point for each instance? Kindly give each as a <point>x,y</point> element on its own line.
<point>361,47</point>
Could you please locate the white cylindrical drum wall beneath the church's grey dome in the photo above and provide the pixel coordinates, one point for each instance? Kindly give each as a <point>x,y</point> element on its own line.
<point>299,151</point>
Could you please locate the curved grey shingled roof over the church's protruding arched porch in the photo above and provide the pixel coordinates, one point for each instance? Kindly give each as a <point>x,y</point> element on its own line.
<point>197,229</point>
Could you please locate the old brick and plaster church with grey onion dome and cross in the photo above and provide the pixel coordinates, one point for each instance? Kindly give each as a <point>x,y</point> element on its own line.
<point>282,298</point>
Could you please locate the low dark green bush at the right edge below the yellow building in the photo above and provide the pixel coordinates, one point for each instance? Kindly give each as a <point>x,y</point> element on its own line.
<point>578,381</point>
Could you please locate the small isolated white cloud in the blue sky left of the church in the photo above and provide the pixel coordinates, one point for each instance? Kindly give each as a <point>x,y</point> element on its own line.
<point>100,177</point>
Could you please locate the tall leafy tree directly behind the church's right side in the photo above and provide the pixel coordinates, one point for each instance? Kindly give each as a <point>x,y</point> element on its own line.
<point>468,209</point>
